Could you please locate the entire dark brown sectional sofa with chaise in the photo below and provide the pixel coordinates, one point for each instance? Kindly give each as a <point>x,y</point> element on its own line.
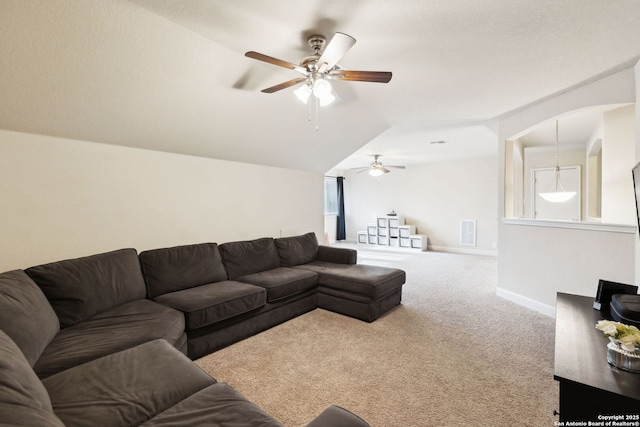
<point>108,339</point>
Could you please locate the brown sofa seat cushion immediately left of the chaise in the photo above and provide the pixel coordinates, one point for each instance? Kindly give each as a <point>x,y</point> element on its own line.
<point>282,282</point>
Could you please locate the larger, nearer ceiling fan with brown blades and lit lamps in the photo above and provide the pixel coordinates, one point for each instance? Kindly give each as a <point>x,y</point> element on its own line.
<point>320,67</point>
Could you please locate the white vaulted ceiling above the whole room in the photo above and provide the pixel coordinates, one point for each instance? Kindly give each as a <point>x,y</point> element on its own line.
<point>171,75</point>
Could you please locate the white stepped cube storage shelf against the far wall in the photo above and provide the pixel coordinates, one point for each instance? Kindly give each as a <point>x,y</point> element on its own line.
<point>390,230</point>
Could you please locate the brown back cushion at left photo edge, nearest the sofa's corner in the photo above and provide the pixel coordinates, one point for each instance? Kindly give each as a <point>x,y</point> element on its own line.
<point>25,314</point>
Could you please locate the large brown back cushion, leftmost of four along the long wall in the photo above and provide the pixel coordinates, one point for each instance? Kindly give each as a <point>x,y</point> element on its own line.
<point>80,288</point>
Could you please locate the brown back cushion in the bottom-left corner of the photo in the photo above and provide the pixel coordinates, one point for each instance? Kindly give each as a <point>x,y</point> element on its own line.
<point>23,398</point>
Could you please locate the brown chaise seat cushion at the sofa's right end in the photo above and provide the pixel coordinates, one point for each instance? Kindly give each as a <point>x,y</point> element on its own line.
<point>370,281</point>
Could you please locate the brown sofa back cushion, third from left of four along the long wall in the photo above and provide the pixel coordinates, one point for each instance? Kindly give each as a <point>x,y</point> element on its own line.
<point>248,257</point>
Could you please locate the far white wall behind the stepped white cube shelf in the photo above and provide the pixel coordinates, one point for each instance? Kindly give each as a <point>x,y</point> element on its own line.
<point>434,197</point>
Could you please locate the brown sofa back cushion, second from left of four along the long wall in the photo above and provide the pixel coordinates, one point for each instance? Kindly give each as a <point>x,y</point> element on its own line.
<point>181,267</point>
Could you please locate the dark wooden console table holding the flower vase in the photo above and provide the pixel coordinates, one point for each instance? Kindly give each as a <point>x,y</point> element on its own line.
<point>590,388</point>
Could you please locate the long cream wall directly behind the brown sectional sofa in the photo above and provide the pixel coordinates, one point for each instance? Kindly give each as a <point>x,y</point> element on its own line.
<point>63,198</point>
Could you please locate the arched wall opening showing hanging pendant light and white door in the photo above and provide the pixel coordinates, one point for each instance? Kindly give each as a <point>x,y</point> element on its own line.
<point>596,145</point>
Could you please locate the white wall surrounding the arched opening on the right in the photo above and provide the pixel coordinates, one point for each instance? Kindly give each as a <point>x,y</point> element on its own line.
<point>536,262</point>
